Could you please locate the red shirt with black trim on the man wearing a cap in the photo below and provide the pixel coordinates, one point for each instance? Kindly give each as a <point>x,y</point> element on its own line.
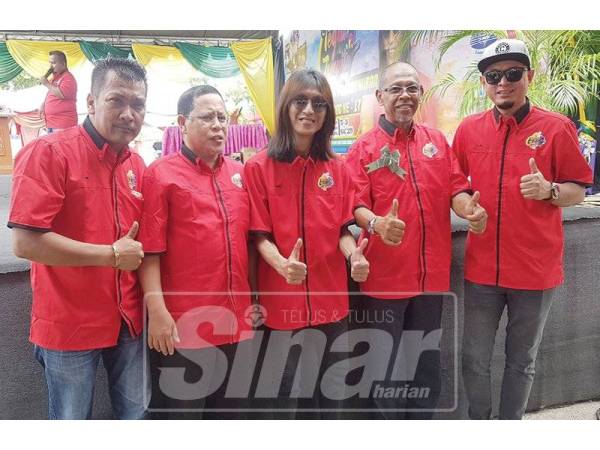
<point>522,247</point>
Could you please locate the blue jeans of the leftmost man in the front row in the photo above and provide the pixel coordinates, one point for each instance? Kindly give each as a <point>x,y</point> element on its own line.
<point>71,376</point>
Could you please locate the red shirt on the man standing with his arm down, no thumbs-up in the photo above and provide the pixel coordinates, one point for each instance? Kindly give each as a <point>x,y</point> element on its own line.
<point>197,219</point>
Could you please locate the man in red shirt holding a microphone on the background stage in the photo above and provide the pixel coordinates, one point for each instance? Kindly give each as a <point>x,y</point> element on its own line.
<point>59,108</point>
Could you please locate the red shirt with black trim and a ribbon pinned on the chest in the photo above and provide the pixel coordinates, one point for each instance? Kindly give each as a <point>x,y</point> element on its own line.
<point>423,176</point>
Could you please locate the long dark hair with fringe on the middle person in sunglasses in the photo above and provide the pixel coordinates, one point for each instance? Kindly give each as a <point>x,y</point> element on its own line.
<point>282,146</point>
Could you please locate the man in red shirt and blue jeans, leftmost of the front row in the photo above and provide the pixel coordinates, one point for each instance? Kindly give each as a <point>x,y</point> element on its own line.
<point>75,208</point>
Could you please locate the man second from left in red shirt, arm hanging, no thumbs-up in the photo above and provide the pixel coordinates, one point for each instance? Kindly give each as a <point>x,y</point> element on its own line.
<point>195,275</point>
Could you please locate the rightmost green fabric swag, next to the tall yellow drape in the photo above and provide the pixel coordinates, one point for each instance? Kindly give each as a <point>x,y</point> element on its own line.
<point>216,62</point>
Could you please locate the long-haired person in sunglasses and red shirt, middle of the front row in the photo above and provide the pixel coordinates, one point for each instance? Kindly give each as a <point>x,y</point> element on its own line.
<point>302,202</point>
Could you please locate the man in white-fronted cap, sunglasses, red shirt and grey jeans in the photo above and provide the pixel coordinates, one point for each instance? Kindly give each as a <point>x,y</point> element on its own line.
<point>526,163</point>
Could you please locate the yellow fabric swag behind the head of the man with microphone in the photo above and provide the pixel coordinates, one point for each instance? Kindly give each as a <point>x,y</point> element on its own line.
<point>32,56</point>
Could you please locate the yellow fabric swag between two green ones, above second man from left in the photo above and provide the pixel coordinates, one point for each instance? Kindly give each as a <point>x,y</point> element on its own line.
<point>164,61</point>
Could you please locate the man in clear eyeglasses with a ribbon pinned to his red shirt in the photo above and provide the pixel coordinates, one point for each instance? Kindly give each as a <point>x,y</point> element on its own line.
<point>406,180</point>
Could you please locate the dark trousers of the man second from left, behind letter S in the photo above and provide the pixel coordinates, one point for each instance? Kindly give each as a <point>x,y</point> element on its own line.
<point>192,384</point>
